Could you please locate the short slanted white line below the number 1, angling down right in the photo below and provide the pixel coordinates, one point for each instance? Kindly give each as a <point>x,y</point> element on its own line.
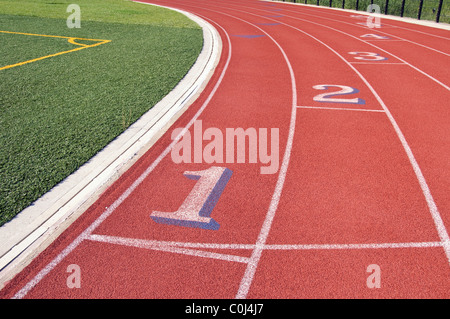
<point>155,245</point>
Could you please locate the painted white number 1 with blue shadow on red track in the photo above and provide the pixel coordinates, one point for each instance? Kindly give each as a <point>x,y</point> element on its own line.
<point>196,209</point>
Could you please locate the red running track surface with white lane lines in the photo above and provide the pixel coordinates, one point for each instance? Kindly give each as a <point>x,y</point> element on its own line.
<point>358,184</point>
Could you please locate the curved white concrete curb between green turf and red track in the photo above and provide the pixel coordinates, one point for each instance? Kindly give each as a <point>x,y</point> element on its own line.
<point>33,229</point>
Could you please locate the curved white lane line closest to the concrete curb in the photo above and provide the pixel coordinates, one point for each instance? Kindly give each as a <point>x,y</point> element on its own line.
<point>30,285</point>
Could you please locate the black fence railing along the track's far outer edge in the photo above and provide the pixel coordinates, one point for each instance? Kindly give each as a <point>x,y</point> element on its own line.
<point>436,10</point>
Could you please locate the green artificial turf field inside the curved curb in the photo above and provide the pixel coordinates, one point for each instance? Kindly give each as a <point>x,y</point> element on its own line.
<point>57,113</point>
